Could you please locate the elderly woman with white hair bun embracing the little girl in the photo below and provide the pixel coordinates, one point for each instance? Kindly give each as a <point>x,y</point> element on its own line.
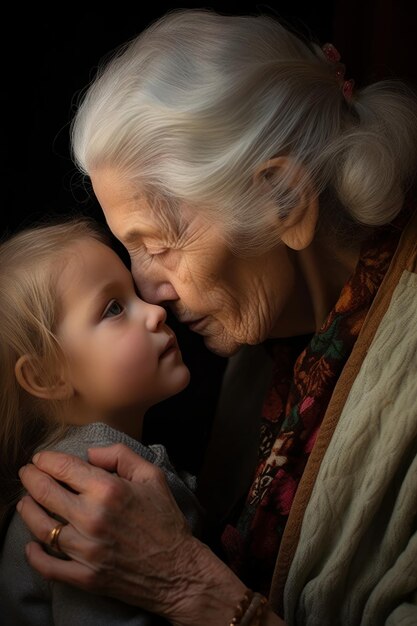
<point>268,202</point>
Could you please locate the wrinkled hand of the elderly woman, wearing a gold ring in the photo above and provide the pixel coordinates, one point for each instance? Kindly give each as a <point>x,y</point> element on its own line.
<point>125,536</point>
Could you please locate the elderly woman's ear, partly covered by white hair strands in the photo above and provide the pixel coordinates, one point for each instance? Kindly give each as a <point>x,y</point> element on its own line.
<point>297,225</point>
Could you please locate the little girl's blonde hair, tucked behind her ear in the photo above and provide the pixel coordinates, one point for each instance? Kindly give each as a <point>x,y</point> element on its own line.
<point>30,265</point>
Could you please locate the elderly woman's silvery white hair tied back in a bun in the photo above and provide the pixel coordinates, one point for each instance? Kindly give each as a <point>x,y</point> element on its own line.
<point>192,107</point>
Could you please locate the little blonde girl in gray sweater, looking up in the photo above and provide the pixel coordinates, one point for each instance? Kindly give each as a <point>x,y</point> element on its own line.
<point>82,358</point>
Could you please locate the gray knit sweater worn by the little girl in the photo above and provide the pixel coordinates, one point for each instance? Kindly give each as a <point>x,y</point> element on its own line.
<point>26,599</point>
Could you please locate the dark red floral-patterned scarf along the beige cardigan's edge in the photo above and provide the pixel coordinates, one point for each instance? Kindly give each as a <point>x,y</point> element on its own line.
<point>305,373</point>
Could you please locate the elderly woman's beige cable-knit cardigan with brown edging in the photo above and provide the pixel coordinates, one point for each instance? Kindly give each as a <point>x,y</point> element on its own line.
<point>348,556</point>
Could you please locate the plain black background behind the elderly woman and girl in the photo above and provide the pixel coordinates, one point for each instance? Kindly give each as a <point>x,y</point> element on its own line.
<point>50,55</point>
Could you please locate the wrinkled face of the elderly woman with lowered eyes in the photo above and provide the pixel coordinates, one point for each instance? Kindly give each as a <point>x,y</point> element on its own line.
<point>230,300</point>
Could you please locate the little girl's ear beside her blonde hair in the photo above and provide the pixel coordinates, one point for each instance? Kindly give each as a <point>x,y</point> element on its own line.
<point>28,373</point>
